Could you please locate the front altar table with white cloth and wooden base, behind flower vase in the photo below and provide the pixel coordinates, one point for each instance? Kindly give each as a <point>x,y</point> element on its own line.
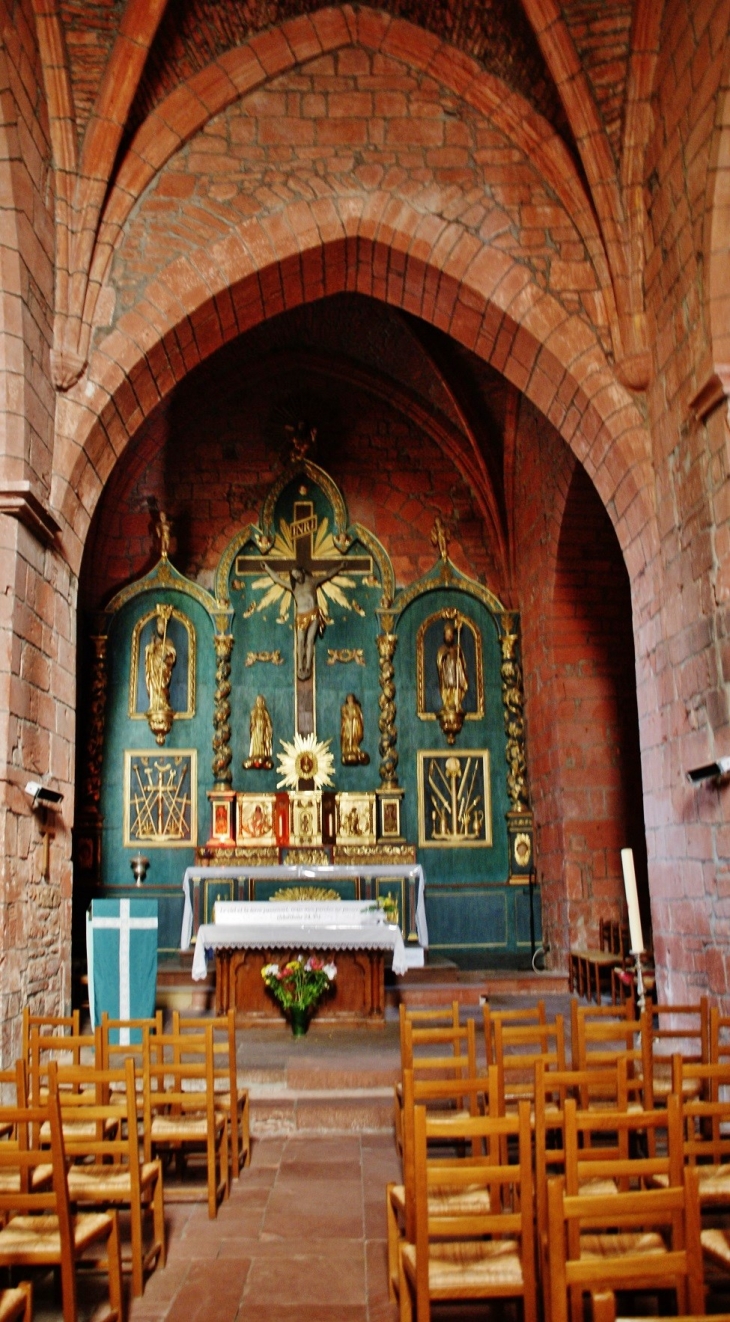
<point>249,935</point>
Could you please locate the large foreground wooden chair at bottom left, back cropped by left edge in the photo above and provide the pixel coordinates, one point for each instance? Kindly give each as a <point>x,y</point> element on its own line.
<point>40,1230</point>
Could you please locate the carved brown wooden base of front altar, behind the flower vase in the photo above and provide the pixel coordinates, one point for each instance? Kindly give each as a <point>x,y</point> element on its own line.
<point>358,999</point>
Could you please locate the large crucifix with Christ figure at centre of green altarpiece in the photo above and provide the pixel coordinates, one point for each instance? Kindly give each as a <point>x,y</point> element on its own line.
<point>302,574</point>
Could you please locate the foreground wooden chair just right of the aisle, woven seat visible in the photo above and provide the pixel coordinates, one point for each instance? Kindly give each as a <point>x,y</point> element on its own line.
<point>471,1257</point>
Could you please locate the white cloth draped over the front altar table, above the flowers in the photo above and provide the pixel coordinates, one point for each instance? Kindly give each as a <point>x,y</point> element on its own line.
<point>333,926</point>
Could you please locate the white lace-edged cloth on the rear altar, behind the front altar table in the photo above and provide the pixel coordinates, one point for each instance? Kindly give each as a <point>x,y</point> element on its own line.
<point>318,875</point>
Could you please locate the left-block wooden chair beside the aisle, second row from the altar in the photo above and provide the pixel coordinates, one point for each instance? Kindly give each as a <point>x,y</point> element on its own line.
<point>181,1111</point>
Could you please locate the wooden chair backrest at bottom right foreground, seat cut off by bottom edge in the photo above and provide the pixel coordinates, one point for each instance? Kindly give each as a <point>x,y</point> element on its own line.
<point>588,1234</point>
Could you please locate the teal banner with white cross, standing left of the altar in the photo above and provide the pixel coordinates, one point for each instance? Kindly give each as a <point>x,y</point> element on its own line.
<point>122,954</point>
